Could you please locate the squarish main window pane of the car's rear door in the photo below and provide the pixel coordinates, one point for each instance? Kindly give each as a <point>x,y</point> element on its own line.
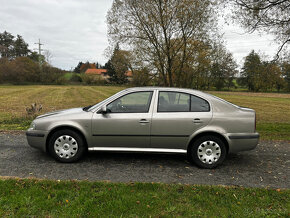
<point>173,102</point>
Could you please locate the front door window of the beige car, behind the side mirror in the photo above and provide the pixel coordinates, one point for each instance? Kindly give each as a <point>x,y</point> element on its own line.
<point>137,102</point>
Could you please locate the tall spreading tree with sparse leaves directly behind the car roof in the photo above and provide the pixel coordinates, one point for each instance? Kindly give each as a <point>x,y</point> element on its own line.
<point>160,32</point>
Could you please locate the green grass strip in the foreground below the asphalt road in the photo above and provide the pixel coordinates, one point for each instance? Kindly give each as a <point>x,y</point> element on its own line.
<point>33,198</point>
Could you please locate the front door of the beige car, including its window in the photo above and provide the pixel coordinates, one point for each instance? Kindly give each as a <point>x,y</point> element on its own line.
<point>127,123</point>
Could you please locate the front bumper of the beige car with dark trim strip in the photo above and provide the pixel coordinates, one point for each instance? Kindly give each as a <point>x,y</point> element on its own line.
<point>37,138</point>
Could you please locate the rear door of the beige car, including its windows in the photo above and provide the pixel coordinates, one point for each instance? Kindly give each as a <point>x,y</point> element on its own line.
<point>176,116</point>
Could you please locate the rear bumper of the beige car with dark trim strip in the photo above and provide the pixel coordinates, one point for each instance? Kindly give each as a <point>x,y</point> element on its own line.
<point>242,141</point>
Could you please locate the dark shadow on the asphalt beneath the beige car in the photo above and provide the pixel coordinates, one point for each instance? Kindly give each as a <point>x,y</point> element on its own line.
<point>141,159</point>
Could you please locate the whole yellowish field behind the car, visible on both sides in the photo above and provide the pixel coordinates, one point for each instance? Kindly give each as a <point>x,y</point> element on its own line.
<point>273,110</point>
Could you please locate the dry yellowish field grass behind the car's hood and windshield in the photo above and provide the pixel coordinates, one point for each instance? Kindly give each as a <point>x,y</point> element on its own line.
<point>14,99</point>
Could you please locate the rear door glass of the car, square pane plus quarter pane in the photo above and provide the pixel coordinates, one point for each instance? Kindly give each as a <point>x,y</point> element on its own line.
<point>181,102</point>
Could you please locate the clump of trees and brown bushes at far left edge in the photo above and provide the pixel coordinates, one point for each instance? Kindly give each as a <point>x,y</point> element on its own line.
<point>20,65</point>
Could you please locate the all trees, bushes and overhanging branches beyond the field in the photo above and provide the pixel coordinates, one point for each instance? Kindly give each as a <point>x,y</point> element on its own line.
<point>172,43</point>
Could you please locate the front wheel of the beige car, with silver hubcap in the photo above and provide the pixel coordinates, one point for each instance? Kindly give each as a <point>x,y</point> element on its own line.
<point>66,146</point>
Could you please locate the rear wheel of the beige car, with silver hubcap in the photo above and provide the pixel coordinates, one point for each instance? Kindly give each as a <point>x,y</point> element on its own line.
<point>207,152</point>
